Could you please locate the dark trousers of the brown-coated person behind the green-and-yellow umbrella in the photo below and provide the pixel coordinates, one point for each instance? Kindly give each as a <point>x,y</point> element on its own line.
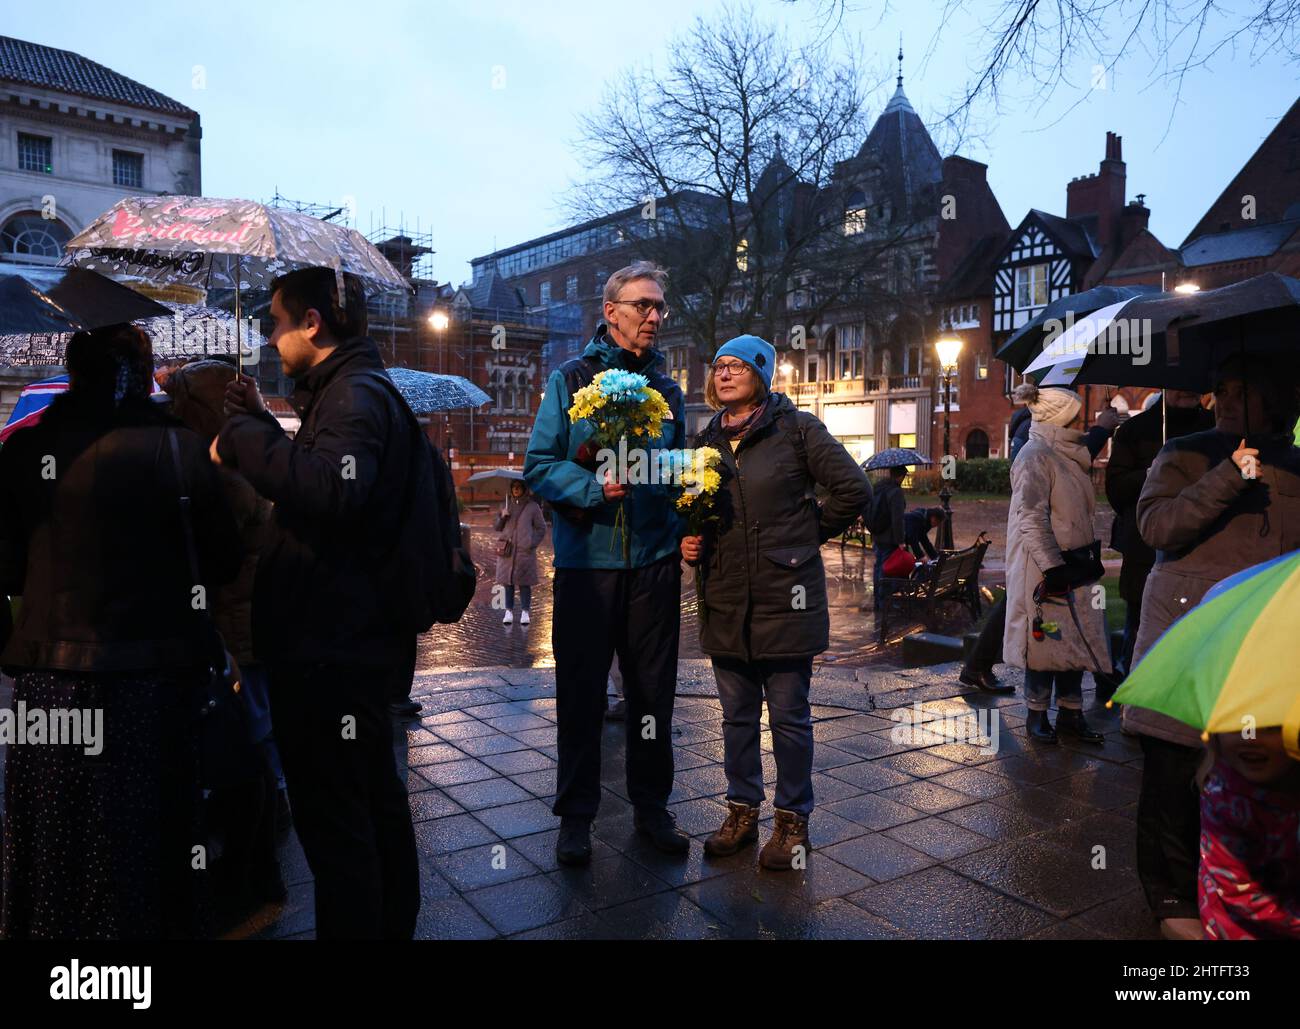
<point>1169,828</point>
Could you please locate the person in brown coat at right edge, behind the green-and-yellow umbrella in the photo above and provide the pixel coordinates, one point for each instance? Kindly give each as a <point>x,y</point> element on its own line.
<point>1214,505</point>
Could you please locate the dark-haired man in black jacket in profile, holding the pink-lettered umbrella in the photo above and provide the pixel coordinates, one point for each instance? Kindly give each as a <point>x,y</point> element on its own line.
<point>323,615</point>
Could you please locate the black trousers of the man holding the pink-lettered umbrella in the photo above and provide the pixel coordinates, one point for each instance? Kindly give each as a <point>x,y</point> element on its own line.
<point>350,806</point>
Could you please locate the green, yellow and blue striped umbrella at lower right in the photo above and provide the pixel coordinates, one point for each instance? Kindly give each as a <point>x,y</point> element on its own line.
<point>1230,658</point>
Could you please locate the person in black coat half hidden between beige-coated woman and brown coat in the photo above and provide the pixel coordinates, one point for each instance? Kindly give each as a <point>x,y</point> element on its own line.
<point>1136,446</point>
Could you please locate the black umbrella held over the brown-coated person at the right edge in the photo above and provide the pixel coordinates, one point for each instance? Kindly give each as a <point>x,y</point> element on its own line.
<point>1186,337</point>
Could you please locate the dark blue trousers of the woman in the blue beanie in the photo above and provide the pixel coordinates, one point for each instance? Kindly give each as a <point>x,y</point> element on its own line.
<point>742,687</point>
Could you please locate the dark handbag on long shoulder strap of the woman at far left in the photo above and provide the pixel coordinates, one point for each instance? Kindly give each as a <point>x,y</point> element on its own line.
<point>224,722</point>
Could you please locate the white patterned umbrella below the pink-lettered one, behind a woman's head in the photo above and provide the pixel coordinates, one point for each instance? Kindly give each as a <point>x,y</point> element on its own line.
<point>192,331</point>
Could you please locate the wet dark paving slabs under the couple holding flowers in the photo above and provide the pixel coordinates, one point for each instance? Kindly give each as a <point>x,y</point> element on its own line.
<point>924,836</point>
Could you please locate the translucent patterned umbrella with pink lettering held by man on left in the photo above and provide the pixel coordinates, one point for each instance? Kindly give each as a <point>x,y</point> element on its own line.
<point>237,245</point>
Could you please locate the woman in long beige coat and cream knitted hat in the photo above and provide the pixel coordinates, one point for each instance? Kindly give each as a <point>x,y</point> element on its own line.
<point>1054,629</point>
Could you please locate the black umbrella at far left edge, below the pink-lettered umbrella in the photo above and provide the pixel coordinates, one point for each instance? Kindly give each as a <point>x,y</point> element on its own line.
<point>68,301</point>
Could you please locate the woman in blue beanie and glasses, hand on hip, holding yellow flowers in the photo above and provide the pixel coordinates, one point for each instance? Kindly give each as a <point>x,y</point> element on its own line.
<point>762,588</point>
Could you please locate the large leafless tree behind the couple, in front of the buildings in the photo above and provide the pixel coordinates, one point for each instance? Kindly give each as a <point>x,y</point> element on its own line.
<point>686,147</point>
